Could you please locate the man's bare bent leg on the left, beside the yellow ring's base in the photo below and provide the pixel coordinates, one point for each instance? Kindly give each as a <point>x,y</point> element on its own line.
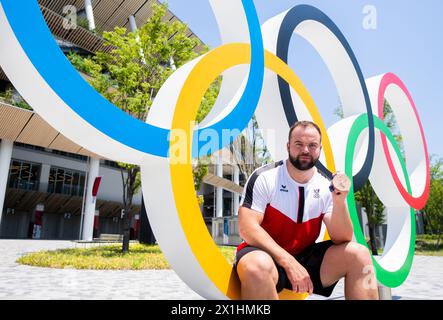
<point>258,276</point>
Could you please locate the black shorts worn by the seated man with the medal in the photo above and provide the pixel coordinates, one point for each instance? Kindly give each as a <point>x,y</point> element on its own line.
<point>311,259</point>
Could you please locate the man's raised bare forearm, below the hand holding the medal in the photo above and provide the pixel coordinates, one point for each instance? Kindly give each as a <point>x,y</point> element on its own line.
<point>338,222</point>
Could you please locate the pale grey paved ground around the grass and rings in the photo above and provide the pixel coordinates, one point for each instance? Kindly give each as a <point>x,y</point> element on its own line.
<point>23,282</point>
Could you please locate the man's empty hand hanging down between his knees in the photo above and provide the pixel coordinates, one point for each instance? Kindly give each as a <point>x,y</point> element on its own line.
<point>297,275</point>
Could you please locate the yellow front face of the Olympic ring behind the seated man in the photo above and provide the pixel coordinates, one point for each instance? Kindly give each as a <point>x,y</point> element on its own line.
<point>204,73</point>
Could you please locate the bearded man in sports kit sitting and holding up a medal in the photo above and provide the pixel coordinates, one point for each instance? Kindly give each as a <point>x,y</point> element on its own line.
<point>282,210</point>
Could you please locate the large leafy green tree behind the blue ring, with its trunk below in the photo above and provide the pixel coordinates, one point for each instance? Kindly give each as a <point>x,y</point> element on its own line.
<point>131,75</point>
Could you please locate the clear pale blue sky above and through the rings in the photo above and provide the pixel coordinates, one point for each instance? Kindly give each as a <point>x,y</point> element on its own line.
<point>408,41</point>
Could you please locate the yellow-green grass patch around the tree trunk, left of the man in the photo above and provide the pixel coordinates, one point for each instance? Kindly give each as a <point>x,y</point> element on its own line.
<point>109,257</point>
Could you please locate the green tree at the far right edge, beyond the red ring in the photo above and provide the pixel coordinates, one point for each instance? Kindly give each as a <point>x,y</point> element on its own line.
<point>434,207</point>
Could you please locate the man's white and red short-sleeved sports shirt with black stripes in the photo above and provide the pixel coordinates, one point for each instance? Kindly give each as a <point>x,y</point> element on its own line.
<point>293,212</point>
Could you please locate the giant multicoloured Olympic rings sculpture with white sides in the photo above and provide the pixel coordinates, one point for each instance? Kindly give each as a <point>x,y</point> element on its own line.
<point>256,79</point>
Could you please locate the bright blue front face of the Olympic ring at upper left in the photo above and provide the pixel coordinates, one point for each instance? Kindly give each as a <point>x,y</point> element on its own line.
<point>68,84</point>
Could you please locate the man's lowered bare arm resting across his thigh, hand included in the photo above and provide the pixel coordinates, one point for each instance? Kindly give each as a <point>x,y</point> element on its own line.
<point>249,222</point>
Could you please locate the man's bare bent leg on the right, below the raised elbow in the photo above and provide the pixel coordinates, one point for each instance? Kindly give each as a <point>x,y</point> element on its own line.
<point>352,261</point>
